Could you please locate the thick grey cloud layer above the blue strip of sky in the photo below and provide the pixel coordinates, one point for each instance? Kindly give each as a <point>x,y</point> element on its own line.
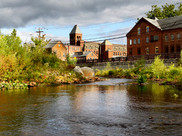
<point>20,13</point>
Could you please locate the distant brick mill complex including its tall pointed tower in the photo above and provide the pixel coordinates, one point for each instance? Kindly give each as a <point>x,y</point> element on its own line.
<point>84,50</point>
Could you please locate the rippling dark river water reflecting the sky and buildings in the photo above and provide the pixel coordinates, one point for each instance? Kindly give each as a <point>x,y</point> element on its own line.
<point>97,109</point>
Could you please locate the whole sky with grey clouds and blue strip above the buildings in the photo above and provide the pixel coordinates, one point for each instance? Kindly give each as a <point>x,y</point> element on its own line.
<point>97,19</point>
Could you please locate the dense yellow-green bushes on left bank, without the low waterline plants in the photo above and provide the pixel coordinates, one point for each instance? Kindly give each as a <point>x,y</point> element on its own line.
<point>27,62</point>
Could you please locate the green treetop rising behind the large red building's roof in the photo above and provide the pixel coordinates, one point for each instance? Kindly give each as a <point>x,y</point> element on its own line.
<point>166,11</point>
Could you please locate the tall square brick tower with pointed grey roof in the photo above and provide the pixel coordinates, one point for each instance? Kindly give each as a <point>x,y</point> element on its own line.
<point>76,36</point>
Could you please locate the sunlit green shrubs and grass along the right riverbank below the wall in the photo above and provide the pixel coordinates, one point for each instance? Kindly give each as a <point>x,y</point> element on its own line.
<point>157,71</point>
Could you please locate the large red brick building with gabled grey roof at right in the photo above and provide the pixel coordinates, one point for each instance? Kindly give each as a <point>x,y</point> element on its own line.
<point>153,36</point>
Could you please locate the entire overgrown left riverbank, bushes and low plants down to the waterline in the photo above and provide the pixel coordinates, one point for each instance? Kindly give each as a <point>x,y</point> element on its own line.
<point>29,65</point>
